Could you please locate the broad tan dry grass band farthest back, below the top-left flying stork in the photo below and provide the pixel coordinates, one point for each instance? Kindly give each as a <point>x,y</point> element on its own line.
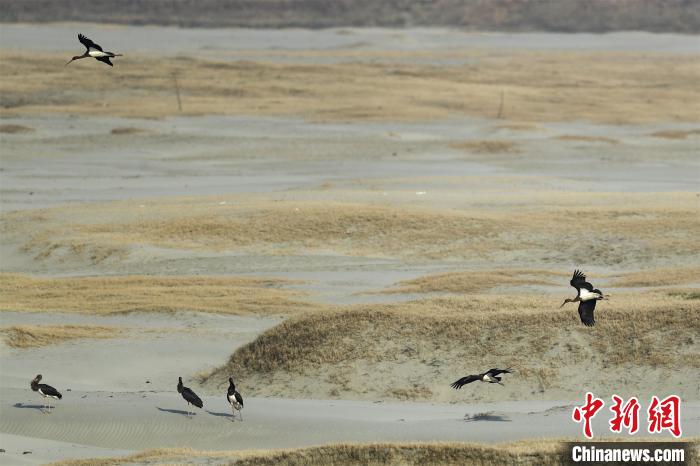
<point>548,86</point>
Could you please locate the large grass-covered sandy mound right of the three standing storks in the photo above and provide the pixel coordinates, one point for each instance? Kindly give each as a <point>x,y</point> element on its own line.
<point>432,338</point>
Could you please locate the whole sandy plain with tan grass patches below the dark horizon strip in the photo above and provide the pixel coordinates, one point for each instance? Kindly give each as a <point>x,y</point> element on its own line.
<point>288,201</point>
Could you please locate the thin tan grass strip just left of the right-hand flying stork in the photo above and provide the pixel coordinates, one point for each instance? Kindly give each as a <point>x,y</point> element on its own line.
<point>476,281</point>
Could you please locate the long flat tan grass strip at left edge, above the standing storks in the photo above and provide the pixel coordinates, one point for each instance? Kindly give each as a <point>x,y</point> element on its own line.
<point>107,295</point>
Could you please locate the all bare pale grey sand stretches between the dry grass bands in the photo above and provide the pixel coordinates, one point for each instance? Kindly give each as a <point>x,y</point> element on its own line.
<point>70,159</point>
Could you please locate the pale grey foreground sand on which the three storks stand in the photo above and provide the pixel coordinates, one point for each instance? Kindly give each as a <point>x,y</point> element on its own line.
<point>110,409</point>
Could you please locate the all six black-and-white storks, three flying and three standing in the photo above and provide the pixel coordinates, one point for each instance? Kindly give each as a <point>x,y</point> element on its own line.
<point>586,296</point>
